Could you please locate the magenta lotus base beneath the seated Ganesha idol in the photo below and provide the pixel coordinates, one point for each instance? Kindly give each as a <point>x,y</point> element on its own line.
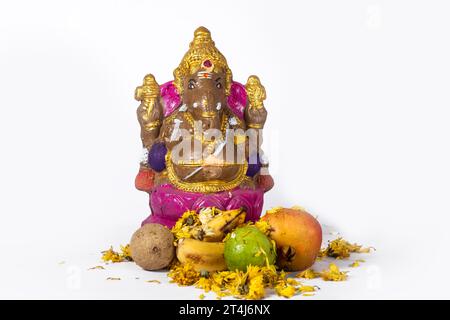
<point>168,203</point>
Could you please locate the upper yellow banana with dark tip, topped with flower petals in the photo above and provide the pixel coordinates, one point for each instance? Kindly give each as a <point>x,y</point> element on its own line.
<point>214,228</point>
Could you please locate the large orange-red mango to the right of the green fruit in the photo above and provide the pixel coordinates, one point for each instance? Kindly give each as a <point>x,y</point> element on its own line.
<point>298,236</point>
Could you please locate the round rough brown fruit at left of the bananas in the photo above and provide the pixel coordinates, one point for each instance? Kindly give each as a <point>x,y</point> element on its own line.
<point>152,247</point>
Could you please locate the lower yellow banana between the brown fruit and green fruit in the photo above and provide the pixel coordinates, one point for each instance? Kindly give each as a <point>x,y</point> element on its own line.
<point>203,256</point>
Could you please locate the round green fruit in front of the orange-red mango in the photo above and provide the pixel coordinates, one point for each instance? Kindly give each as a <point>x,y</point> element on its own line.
<point>248,246</point>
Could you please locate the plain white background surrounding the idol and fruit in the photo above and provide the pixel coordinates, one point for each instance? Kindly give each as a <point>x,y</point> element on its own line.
<point>358,132</point>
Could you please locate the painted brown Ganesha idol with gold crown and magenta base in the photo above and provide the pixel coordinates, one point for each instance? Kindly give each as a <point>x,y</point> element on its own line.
<point>202,136</point>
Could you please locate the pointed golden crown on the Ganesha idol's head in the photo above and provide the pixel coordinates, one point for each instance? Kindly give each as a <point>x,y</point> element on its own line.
<point>202,48</point>
